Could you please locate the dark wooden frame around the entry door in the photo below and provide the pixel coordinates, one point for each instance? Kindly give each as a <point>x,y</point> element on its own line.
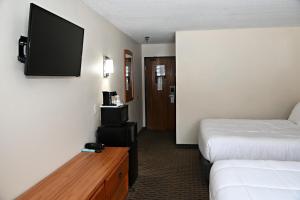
<point>145,88</point>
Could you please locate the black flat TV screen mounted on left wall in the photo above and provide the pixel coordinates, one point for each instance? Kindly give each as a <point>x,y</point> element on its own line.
<point>54,45</point>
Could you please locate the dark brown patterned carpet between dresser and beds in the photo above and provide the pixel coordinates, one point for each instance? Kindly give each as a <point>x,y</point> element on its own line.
<point>167,172</point>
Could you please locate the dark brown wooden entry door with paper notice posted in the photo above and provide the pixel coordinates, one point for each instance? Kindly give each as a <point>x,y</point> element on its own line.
<point>160,94</point>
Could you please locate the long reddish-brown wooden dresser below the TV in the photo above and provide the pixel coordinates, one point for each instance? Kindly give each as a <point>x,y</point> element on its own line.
<point>87,176</point>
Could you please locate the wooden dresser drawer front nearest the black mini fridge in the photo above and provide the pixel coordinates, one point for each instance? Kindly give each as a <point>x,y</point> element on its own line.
<point>117,183</point>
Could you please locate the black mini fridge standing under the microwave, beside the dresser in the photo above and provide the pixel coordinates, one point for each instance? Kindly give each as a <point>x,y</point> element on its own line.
<point>122,135</point>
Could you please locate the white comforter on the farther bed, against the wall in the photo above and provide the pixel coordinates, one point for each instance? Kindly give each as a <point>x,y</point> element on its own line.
<point>225,139</point>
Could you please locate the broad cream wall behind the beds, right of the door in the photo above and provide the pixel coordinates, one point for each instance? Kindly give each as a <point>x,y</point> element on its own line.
<point>241,73</point>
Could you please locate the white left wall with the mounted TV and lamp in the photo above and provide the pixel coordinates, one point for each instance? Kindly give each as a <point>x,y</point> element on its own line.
<point>44,121</point>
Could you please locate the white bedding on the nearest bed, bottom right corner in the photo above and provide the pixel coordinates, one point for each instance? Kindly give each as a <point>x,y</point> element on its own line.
<point>255,180</point>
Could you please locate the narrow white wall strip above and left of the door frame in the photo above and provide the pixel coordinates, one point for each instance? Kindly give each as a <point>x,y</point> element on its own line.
<point>154,50</point>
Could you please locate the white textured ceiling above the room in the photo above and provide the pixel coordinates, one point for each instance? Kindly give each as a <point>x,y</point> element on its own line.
<point>160,19</point>
